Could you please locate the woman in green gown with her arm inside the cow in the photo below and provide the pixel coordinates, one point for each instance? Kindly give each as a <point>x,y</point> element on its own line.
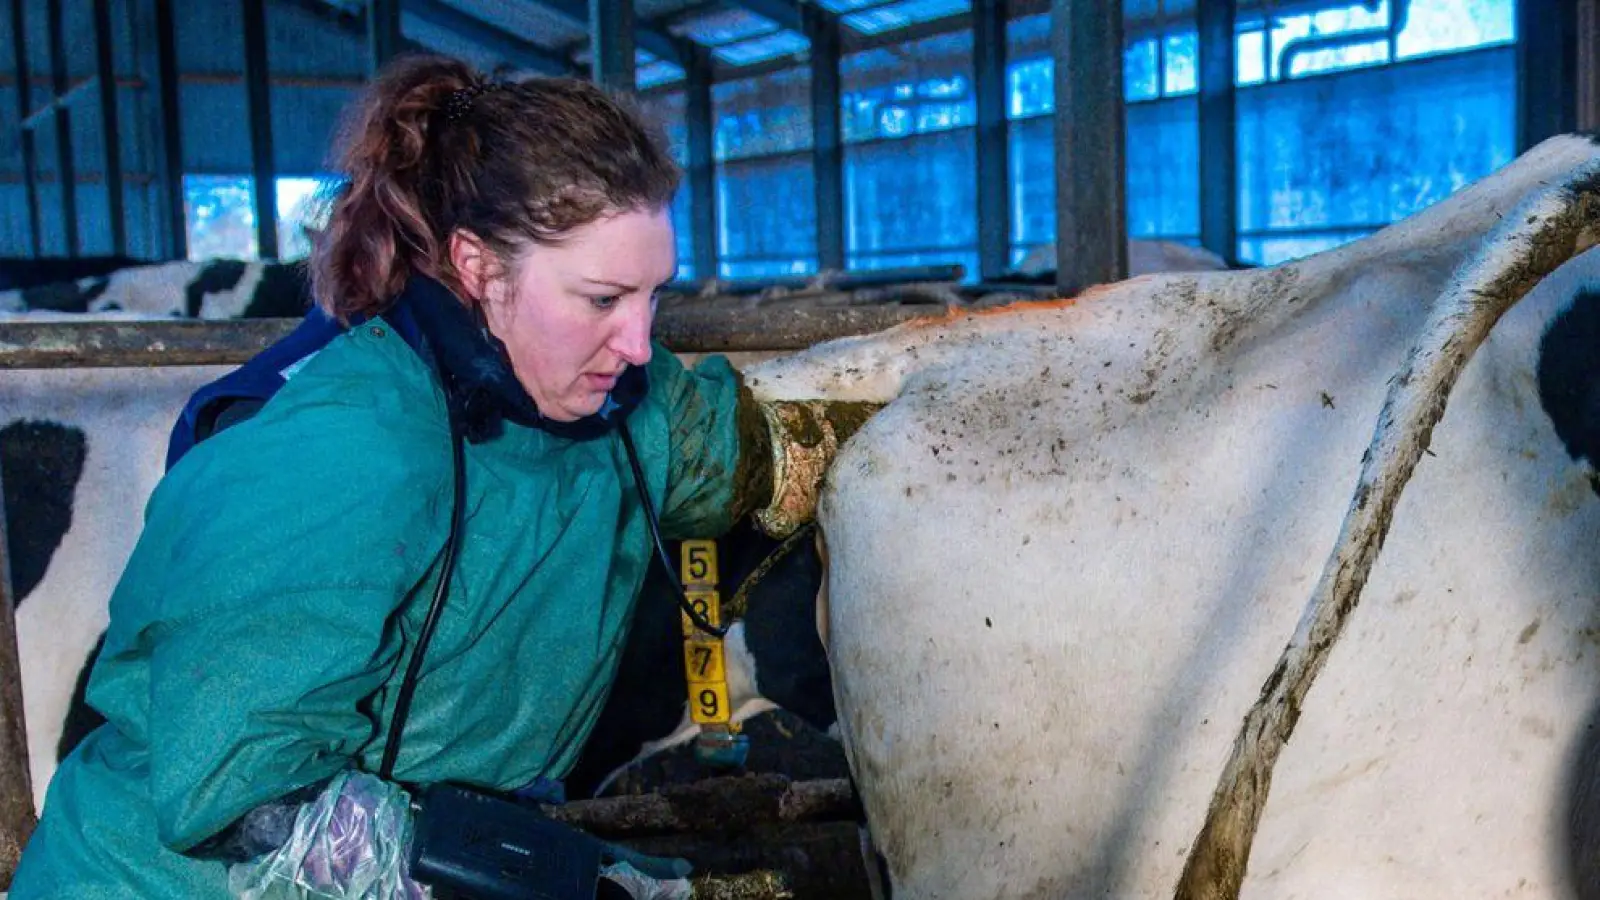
<point>262,630</point>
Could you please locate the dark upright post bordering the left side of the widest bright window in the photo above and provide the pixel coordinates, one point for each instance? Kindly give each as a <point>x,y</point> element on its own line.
<point>1218,131</point>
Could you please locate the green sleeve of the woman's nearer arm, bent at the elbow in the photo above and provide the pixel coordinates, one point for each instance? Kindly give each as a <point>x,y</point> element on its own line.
<point>274,565</point>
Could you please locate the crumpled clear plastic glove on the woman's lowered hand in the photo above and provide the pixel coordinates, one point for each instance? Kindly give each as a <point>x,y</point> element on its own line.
<point>351,843</point>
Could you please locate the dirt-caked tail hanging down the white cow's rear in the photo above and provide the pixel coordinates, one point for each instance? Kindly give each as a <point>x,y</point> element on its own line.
<point>1546,231</point>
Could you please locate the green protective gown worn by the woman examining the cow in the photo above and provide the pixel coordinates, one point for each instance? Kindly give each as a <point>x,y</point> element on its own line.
<point>260,632</point>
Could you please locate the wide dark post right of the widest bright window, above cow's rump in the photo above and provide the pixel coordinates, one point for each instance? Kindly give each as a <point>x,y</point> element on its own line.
<point>1546,71</point>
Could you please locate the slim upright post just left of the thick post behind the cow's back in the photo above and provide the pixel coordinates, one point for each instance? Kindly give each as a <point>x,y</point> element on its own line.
<point>994,193</point>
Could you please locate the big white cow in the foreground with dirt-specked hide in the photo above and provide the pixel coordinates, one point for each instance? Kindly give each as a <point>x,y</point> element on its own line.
<point>1065,556</point>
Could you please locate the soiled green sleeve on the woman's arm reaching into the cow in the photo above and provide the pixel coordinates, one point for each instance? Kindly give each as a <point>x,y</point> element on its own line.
<point>706,475</point>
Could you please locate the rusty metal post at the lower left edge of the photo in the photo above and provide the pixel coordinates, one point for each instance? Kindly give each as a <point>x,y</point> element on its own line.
<point>17,790</point>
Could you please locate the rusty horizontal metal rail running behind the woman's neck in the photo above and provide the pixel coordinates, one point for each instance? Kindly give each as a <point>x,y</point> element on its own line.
<point>230,342</point>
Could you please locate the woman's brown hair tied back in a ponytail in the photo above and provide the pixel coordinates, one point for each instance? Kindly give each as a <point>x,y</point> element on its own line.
<point>433,147</point>
